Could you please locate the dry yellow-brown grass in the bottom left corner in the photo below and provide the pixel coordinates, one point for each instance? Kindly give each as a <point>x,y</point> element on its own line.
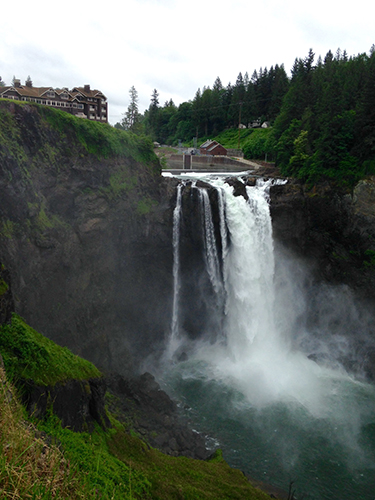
<point>29,467</point>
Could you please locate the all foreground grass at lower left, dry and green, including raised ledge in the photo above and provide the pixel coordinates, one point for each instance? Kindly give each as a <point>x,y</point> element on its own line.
<point>111,464</point>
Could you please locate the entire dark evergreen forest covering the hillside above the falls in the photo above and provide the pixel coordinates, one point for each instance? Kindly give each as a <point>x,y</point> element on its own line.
<point>322,115</point>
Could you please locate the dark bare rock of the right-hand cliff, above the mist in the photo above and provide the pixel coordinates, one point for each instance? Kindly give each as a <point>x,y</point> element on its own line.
<point>332,229</point>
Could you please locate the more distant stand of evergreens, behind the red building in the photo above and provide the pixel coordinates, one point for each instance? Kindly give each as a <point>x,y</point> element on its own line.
<point>212,109</point>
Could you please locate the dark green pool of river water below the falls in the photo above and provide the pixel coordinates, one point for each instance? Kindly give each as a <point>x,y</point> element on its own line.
<point>327,457</point>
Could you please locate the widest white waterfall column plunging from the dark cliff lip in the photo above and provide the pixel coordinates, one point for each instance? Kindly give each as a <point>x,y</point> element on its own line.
<point>249,267</point>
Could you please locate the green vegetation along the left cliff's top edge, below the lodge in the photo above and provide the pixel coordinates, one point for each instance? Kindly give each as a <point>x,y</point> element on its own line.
<point>75,137</point>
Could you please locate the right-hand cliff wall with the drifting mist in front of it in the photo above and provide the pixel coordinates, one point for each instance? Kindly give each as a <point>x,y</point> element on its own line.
<point>333,232</point>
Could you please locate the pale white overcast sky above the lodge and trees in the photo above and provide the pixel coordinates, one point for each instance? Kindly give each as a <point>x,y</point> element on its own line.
<point>174,46</point>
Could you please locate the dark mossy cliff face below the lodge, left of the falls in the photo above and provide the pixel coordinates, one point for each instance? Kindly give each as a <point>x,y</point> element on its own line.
<point>86,239</point>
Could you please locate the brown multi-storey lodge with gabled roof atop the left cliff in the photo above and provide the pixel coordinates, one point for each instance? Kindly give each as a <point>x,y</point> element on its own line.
<point>80,101</point>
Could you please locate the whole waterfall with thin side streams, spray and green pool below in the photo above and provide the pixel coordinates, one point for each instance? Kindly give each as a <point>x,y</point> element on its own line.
<point>277,414</point>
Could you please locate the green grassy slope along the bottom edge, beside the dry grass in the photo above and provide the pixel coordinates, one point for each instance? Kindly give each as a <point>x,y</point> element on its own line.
<point>117,465</point>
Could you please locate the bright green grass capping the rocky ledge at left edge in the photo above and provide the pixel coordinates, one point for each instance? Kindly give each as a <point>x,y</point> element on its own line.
<point>29,355</point>
